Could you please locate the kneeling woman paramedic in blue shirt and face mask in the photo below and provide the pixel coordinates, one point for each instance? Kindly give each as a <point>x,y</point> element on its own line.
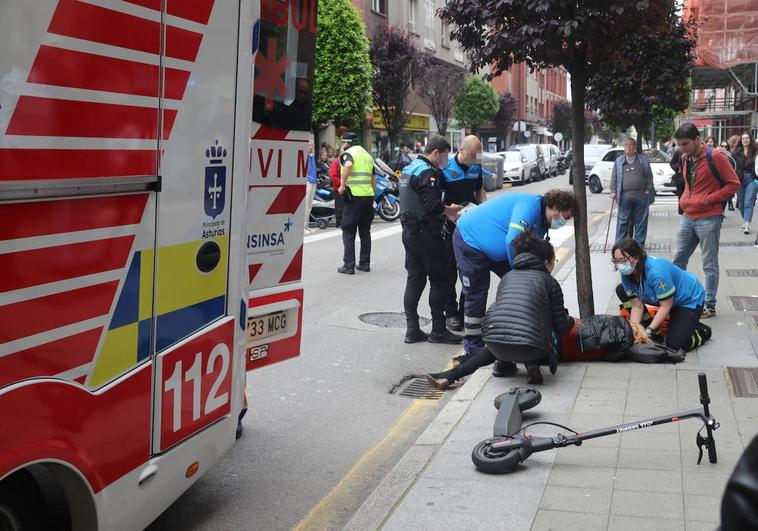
<point>657,281</point>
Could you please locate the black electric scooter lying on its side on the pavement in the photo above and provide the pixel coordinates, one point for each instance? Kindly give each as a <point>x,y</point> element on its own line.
<point>511,445</point>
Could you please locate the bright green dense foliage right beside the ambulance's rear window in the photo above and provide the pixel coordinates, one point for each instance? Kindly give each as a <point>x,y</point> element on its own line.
<point>343,72</point>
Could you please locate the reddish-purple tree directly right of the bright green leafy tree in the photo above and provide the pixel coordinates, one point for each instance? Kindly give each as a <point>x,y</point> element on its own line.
<point>398,65</point>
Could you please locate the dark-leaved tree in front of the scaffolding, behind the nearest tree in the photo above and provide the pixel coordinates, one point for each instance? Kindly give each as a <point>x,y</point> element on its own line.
<point>648,76</point>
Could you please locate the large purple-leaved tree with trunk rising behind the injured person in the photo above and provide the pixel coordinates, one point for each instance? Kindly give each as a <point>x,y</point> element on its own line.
<point>579,35</point>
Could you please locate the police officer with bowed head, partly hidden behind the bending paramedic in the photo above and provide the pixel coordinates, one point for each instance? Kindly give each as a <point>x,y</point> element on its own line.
<point>463,184</point>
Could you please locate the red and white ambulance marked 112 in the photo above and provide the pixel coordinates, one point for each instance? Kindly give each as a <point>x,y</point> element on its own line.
<point>152,176</point>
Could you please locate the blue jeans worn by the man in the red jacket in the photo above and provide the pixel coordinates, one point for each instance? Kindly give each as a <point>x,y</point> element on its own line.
<point>706,232</point>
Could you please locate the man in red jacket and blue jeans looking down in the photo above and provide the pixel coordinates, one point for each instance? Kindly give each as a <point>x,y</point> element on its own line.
<point>702,205</point>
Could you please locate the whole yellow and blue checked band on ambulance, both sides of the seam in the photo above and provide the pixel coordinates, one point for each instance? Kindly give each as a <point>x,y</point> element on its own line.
<point>186,300</point>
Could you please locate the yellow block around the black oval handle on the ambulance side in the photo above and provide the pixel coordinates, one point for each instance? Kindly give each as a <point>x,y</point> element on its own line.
<point>180,284</point>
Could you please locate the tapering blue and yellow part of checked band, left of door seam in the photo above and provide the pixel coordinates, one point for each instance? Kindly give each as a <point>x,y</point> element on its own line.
<point>127,342</point>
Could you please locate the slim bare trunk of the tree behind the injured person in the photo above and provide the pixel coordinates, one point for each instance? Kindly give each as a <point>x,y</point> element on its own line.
<point>581,237</point>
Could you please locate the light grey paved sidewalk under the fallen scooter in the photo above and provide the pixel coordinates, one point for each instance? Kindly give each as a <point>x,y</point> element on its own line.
<point>645,479</point>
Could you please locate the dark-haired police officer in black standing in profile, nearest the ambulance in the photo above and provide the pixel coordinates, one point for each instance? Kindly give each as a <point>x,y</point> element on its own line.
<point>422,212</point>
